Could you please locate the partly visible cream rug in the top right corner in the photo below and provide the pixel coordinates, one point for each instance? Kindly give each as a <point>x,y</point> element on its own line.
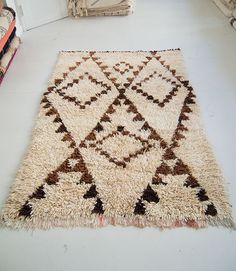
<point>228,7</point>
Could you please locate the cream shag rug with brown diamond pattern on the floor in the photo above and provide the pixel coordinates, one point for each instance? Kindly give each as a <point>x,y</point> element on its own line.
<point>118,141</point>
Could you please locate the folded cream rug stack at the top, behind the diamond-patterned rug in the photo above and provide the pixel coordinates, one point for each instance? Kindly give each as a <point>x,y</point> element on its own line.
<point>78,8</point>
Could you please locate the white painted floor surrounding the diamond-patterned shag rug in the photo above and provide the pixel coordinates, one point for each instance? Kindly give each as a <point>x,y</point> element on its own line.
<point>209,47</point>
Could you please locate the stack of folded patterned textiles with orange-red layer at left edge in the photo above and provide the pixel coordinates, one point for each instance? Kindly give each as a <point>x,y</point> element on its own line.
<point>9,42</point>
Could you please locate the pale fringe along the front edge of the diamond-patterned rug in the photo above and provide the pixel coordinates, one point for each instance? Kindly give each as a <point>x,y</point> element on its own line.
<point>98,221</point>
